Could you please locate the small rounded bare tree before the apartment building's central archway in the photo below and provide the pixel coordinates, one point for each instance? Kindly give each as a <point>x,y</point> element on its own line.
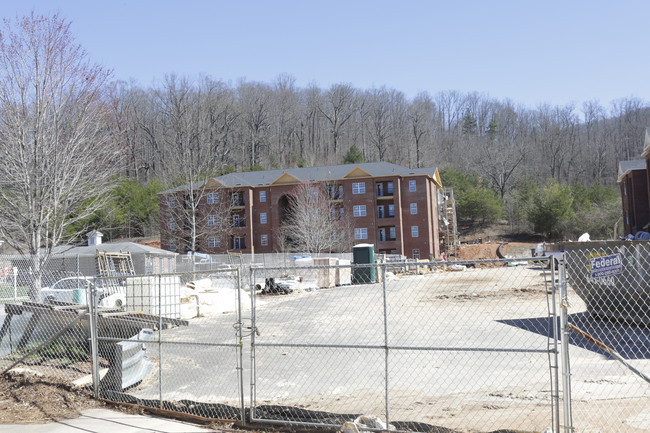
<point>314,223</point>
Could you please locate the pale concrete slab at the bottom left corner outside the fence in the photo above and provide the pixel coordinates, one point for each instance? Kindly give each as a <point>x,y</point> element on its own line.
<point>108,421</point>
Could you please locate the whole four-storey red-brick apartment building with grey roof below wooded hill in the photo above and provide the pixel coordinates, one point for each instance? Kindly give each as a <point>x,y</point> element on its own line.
<point>393,207</point>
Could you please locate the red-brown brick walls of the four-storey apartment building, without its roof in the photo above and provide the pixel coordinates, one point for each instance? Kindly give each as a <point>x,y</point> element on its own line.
<point>389,233</point>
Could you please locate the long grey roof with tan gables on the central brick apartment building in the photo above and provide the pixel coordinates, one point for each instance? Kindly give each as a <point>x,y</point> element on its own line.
<point>314,174</point>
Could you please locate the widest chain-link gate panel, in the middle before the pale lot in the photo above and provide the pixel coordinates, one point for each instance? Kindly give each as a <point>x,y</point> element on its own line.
<point>471,346</point>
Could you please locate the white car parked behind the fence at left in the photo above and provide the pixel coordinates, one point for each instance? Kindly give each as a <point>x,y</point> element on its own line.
<point>76,289</point>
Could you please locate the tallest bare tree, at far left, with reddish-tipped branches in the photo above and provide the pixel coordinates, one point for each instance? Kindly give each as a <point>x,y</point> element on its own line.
<point>56,149</point>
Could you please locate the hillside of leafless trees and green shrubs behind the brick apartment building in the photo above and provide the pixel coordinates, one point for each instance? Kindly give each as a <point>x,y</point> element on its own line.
<point>506,154</point>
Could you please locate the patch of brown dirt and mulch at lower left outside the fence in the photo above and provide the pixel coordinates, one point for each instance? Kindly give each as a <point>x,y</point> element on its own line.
<point>27,398</point>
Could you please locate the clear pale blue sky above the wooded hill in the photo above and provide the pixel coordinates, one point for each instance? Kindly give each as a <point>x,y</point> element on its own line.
<point>530,52</point>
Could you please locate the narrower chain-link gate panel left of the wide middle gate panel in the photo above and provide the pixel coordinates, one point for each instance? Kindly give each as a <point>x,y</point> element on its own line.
<point>151,355</point>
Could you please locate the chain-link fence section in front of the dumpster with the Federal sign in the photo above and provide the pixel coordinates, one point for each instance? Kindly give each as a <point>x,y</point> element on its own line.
<point>608,307</point>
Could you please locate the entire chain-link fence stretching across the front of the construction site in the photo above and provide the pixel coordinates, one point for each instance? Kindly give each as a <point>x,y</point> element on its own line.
<point>443,347</point>
